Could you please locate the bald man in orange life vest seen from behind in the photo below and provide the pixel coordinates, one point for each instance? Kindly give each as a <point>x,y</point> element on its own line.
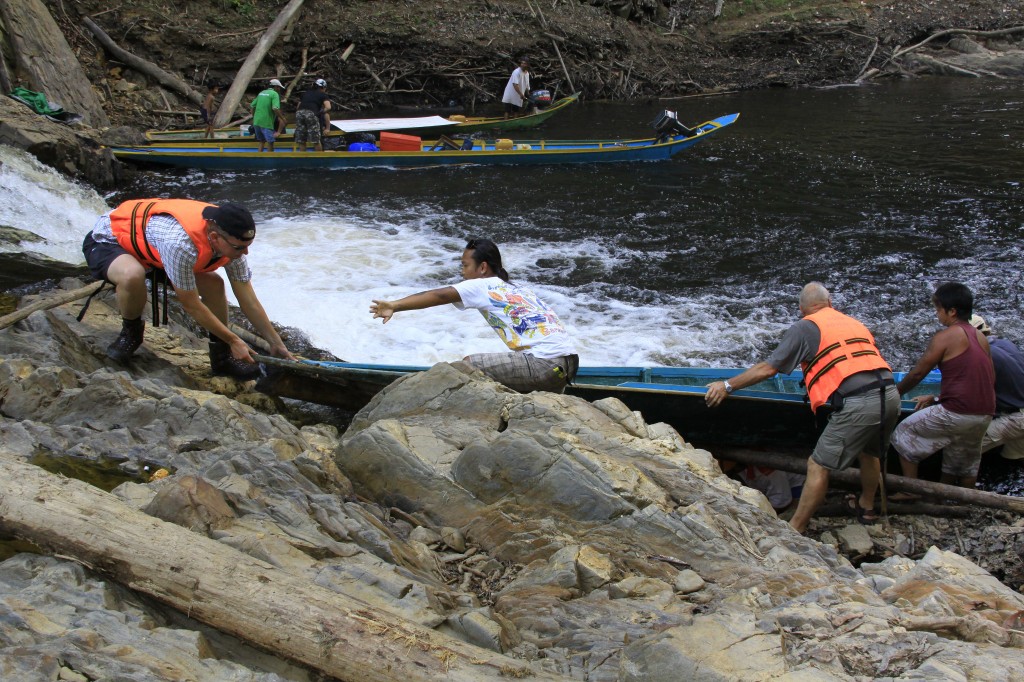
<point>844,370</point>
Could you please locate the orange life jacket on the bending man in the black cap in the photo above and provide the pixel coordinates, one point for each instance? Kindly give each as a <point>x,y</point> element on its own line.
<point>129,225</point>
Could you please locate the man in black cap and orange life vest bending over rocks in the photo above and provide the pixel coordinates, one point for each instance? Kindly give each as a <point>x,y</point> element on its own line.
<point>189,241</point>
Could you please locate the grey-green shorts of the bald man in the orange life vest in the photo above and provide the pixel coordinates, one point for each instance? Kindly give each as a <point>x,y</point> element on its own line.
<point>855,430</point>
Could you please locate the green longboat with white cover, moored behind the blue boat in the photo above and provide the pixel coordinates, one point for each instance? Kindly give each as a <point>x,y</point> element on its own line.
<point>423,125</point>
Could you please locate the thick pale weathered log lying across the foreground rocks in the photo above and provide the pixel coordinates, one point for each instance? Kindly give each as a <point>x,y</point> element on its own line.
<point>290,616</point>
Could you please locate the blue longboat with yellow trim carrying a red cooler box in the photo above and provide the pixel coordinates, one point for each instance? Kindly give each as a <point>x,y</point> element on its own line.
<point>239,156</point>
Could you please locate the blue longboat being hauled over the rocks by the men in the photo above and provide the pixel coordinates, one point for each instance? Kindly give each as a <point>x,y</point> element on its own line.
<point>773,412</point>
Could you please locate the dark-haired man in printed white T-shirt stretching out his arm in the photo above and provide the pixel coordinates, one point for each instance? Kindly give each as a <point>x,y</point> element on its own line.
<point>543,357</point>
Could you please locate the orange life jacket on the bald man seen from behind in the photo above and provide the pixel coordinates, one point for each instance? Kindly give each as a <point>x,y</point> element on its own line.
<point>847,349</point>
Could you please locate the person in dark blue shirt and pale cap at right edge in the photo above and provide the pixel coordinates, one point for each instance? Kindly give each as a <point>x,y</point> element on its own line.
<point>1007,428</point>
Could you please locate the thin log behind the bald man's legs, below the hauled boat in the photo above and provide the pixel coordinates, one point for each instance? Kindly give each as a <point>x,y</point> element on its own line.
<point>851,478</point>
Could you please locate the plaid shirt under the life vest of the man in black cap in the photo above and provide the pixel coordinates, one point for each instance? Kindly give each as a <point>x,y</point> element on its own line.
<point>176,248</point>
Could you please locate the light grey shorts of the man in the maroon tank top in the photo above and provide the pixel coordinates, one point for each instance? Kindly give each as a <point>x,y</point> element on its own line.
<point>934,429</point>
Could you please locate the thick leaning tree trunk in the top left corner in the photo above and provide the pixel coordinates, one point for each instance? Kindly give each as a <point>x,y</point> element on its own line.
<point>46,61</point>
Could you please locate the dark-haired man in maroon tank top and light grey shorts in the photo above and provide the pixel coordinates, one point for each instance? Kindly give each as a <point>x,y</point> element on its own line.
<point>955,421</point>
